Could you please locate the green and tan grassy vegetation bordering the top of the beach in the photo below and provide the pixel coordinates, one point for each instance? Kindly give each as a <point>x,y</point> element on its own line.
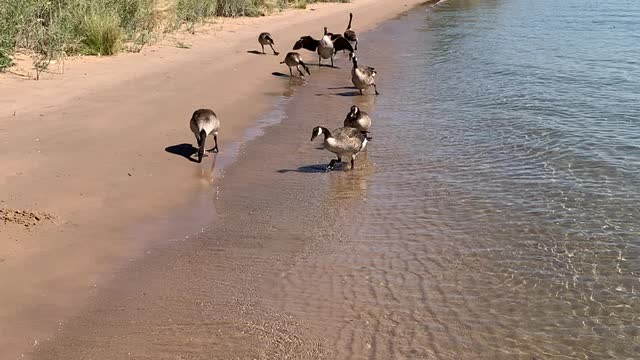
<point>51,29</point>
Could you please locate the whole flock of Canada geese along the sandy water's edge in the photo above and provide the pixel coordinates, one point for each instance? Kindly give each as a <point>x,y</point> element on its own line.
<point>347,141</point>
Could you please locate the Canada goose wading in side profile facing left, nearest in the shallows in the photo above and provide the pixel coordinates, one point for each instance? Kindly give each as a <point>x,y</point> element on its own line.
<point>344,141</point>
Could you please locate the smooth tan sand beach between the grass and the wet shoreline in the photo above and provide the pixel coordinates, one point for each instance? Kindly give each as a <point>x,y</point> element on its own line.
<point>87,148</point>
